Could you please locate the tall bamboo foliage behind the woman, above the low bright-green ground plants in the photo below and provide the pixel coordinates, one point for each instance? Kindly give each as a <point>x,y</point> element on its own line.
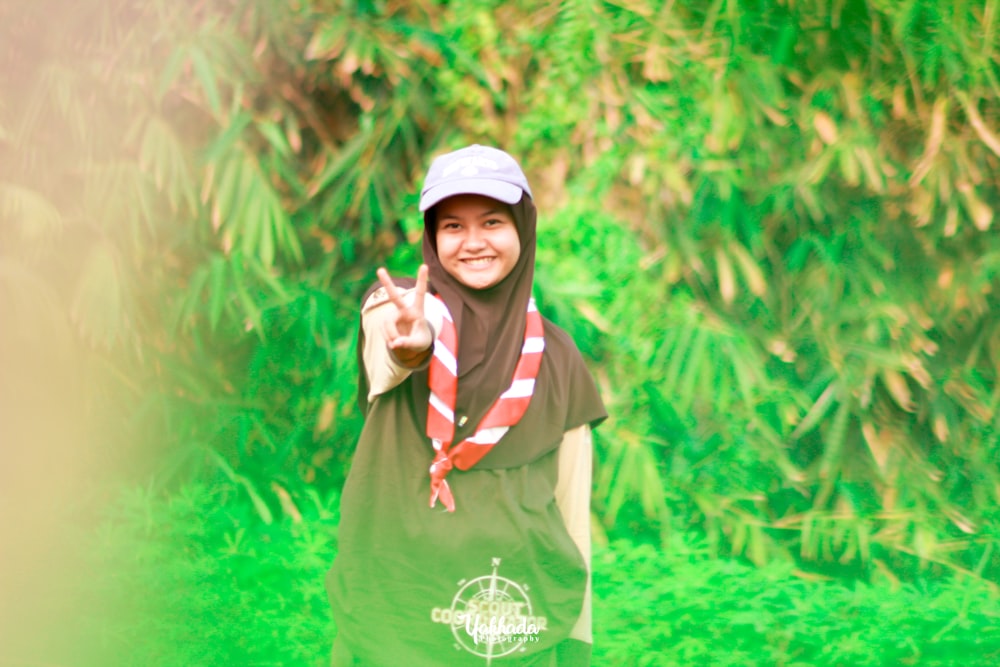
<point>767,224</point>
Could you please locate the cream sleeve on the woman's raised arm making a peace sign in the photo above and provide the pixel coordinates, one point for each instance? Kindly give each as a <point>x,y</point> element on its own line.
<point>381,367</point>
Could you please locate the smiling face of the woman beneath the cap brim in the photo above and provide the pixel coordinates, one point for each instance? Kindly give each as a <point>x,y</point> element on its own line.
<point>477,240</point>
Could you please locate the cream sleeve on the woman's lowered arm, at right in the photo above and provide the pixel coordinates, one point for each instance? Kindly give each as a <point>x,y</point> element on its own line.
<point>573,498</point>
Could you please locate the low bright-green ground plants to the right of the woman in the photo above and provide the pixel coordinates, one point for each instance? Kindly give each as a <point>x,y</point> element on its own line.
<point>679,606</point>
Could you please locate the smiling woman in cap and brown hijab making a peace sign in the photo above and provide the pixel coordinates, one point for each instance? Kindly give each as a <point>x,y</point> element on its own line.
<point>464,535</point>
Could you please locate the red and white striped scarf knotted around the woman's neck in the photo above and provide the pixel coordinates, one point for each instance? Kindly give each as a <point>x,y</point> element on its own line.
<point>505,412</point>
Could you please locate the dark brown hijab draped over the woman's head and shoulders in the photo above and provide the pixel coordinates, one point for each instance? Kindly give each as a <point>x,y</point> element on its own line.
<point>490,325</point>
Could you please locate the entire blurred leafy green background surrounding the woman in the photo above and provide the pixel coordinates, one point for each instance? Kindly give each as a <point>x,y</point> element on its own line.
<point>768,225</point>
